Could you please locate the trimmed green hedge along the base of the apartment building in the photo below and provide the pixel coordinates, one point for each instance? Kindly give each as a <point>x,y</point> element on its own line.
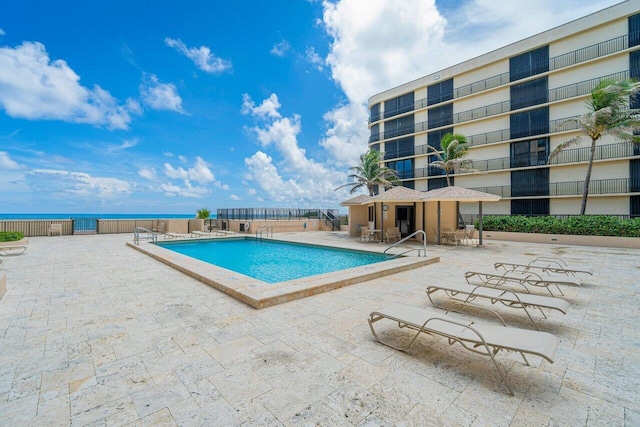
<point>591,225</point>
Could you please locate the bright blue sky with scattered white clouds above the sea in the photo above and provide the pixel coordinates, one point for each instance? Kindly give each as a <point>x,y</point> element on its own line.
<point>157,106</point>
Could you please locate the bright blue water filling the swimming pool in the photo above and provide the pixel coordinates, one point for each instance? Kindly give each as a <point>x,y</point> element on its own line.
<point>273,262</point>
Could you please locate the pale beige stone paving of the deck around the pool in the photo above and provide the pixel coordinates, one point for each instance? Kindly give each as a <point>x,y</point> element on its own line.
<point>95,333</point>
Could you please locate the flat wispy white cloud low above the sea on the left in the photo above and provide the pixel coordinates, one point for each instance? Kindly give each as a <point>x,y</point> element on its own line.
<point>78,184</point>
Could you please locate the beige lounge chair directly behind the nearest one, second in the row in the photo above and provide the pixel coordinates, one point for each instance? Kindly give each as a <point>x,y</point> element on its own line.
<point>464,294</point>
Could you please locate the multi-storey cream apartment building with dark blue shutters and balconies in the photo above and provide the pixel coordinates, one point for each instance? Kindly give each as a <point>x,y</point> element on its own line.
<point>515,105</point>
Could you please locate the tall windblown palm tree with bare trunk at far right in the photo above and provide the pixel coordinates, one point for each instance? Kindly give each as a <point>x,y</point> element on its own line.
<point>607,114</point>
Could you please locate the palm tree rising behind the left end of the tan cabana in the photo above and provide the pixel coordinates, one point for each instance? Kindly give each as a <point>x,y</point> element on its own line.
<point>369,173</point>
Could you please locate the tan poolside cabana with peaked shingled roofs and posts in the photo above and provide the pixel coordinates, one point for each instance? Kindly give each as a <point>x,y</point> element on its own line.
<point>412,210</point>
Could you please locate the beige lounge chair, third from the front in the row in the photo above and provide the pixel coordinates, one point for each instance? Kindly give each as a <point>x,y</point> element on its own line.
<point>522,279</point>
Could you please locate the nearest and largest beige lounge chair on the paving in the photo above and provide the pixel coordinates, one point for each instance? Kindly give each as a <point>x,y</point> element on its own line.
<point>486,340</point>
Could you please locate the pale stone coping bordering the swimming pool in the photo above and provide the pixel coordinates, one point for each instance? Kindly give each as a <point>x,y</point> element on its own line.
<point>259,294</point>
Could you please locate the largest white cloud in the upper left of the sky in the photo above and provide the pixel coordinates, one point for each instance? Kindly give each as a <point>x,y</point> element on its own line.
<point>34,87</point>
